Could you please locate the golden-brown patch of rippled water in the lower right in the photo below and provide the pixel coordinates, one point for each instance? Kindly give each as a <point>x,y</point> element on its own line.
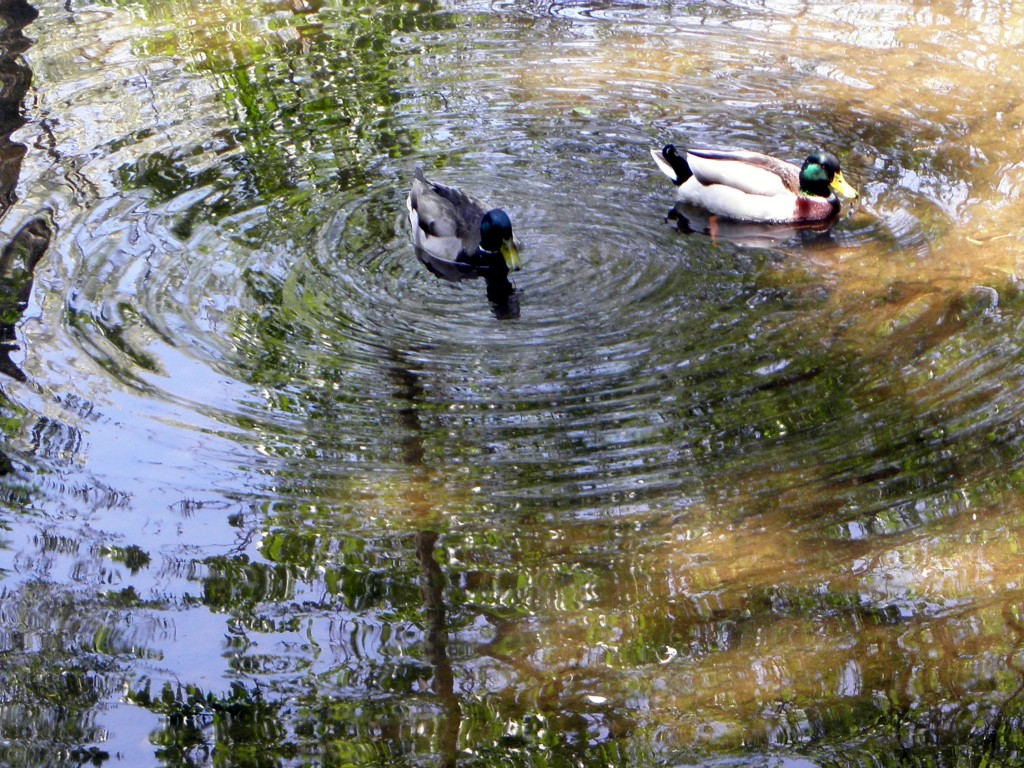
<point>767,629</point>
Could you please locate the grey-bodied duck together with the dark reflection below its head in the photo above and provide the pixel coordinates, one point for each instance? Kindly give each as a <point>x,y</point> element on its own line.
<point>459,238</point>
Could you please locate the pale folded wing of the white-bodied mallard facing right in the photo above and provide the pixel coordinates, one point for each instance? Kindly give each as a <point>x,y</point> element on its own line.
<point>750,173</point>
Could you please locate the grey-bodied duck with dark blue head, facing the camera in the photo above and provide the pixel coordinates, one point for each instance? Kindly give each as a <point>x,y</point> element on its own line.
<point>455,229</point>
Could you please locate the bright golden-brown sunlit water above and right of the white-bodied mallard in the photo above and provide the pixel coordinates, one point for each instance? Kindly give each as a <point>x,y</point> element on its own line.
<point>935,92</point>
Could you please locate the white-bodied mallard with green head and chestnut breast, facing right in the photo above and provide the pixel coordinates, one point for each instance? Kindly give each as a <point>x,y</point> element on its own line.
<point>752,187</point>
